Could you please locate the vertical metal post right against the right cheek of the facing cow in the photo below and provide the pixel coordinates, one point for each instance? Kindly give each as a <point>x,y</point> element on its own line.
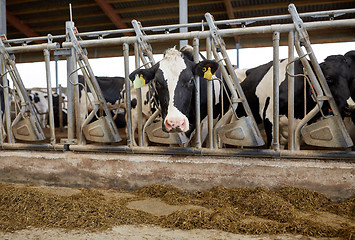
<point>197,101</point>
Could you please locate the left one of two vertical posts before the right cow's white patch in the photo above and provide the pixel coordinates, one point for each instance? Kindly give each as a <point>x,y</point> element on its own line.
<point>276,42</point>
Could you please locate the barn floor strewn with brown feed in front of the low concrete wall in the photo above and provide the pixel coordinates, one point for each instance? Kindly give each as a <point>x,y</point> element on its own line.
<point>163,212</point>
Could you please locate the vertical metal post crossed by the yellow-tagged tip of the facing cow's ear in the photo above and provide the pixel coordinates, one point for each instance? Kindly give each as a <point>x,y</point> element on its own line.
<point>209,98</point>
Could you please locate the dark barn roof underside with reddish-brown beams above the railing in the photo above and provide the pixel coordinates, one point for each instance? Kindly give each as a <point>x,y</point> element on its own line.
<point>27,18</point>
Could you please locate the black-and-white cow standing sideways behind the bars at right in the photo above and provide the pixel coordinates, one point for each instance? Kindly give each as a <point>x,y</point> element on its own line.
<point>258,82</point>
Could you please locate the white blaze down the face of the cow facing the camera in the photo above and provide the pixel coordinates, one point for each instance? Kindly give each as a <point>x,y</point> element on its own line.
<point>172,65</point>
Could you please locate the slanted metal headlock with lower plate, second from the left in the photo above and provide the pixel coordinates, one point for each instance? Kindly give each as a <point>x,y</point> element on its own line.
<point>103,129</point>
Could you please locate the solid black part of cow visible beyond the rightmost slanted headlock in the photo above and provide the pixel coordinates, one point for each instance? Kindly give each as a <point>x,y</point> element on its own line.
<point>337,72</point>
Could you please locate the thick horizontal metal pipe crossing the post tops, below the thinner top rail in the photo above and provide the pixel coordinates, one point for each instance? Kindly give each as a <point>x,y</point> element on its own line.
<point>346,23</point>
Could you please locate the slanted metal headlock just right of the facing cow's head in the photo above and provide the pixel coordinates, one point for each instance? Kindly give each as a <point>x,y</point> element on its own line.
<point>244,130</point>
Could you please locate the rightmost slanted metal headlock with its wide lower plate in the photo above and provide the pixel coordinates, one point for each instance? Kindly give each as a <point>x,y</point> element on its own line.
<point>330,131</point>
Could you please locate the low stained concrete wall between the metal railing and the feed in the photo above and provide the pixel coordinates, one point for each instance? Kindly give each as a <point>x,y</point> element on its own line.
<point>130,171</point>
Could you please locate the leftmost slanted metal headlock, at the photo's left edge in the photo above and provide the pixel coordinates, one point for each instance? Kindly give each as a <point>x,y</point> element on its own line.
<point>26,125</point>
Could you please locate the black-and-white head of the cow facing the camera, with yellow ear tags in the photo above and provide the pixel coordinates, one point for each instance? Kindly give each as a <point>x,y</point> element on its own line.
<point>173,78</point>
